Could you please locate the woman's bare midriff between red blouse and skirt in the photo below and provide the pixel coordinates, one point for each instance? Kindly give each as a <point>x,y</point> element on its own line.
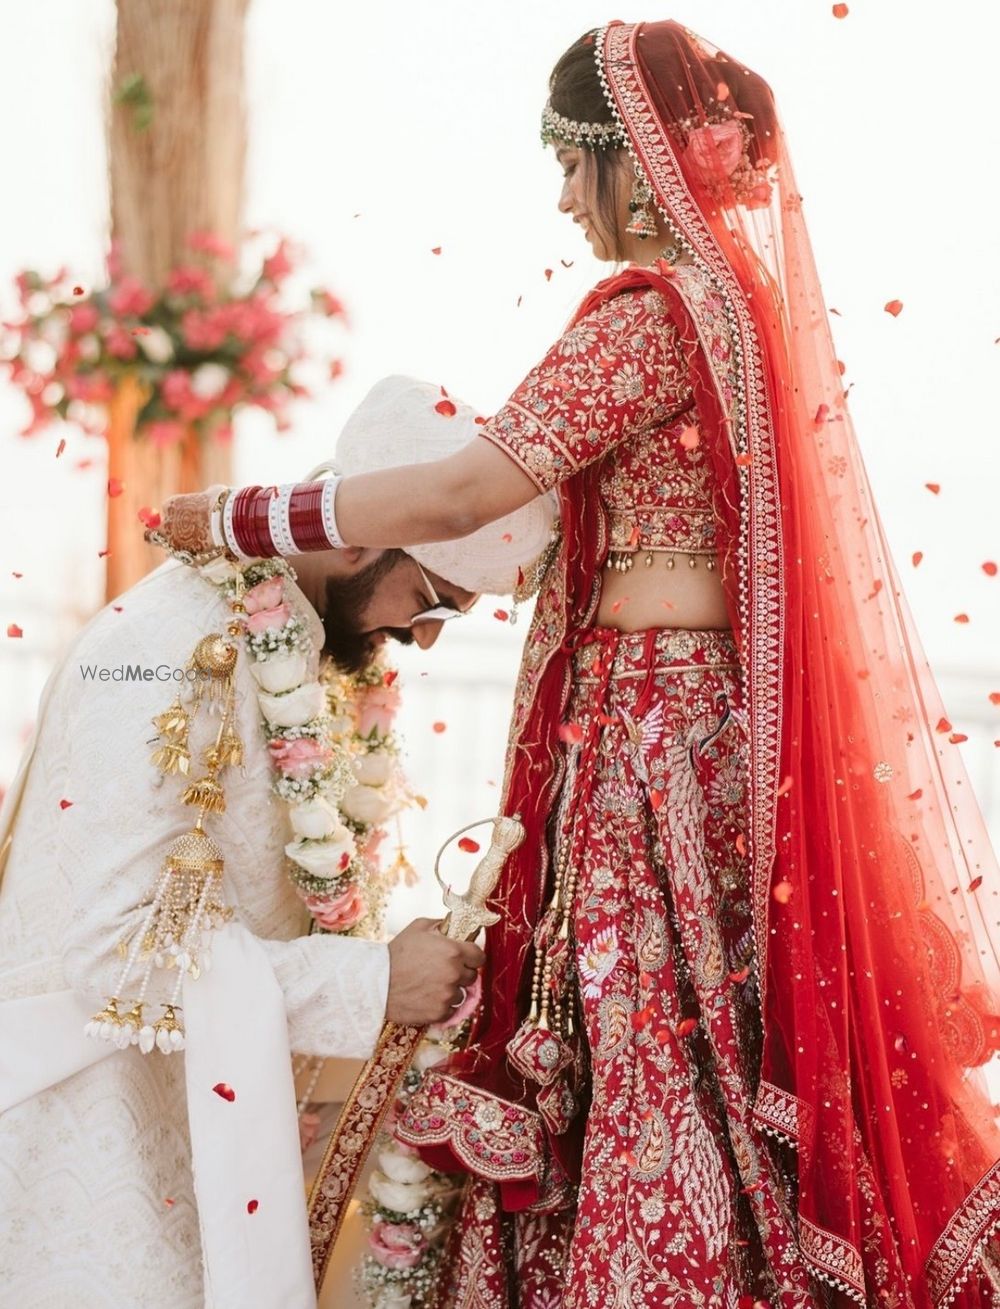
<point>663,598</point>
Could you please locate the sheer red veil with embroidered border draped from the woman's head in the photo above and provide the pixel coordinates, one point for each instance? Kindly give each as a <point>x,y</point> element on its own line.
<point>875,887</point>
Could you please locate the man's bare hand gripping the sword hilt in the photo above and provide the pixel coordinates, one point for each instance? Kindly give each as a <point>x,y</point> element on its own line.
<point>427,975</point>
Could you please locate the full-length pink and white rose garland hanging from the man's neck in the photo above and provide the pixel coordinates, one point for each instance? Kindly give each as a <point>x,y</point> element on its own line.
<point>337,766</point>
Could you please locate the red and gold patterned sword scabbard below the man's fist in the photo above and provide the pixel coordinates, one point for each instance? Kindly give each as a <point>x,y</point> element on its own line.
<point>354,1137</point>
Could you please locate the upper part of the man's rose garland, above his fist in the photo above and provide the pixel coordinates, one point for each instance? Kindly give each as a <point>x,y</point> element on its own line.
<point>332,745</point>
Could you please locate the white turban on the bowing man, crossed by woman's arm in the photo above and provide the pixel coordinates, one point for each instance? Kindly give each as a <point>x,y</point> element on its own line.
<point>399,422</point>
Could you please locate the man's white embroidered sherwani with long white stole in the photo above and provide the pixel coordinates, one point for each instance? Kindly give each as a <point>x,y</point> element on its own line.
<point>99,1206</point>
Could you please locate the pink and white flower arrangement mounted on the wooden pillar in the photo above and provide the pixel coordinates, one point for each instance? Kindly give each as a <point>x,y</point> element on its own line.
<point>200,349</point>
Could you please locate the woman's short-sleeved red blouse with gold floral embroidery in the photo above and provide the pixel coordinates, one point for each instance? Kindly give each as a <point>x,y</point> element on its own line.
<point>616,388</point>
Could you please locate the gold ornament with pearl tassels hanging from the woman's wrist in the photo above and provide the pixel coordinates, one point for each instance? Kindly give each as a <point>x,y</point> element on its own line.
<point>187,904</point>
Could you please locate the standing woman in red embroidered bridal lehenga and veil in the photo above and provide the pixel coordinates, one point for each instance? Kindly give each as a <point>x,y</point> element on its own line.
<point>747,972</point>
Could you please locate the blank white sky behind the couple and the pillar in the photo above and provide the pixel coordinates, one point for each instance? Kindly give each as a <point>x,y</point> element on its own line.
<point>382,130</point>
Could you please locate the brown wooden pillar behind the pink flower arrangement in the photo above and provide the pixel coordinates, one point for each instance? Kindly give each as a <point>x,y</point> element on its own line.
<point>177,146</point>
